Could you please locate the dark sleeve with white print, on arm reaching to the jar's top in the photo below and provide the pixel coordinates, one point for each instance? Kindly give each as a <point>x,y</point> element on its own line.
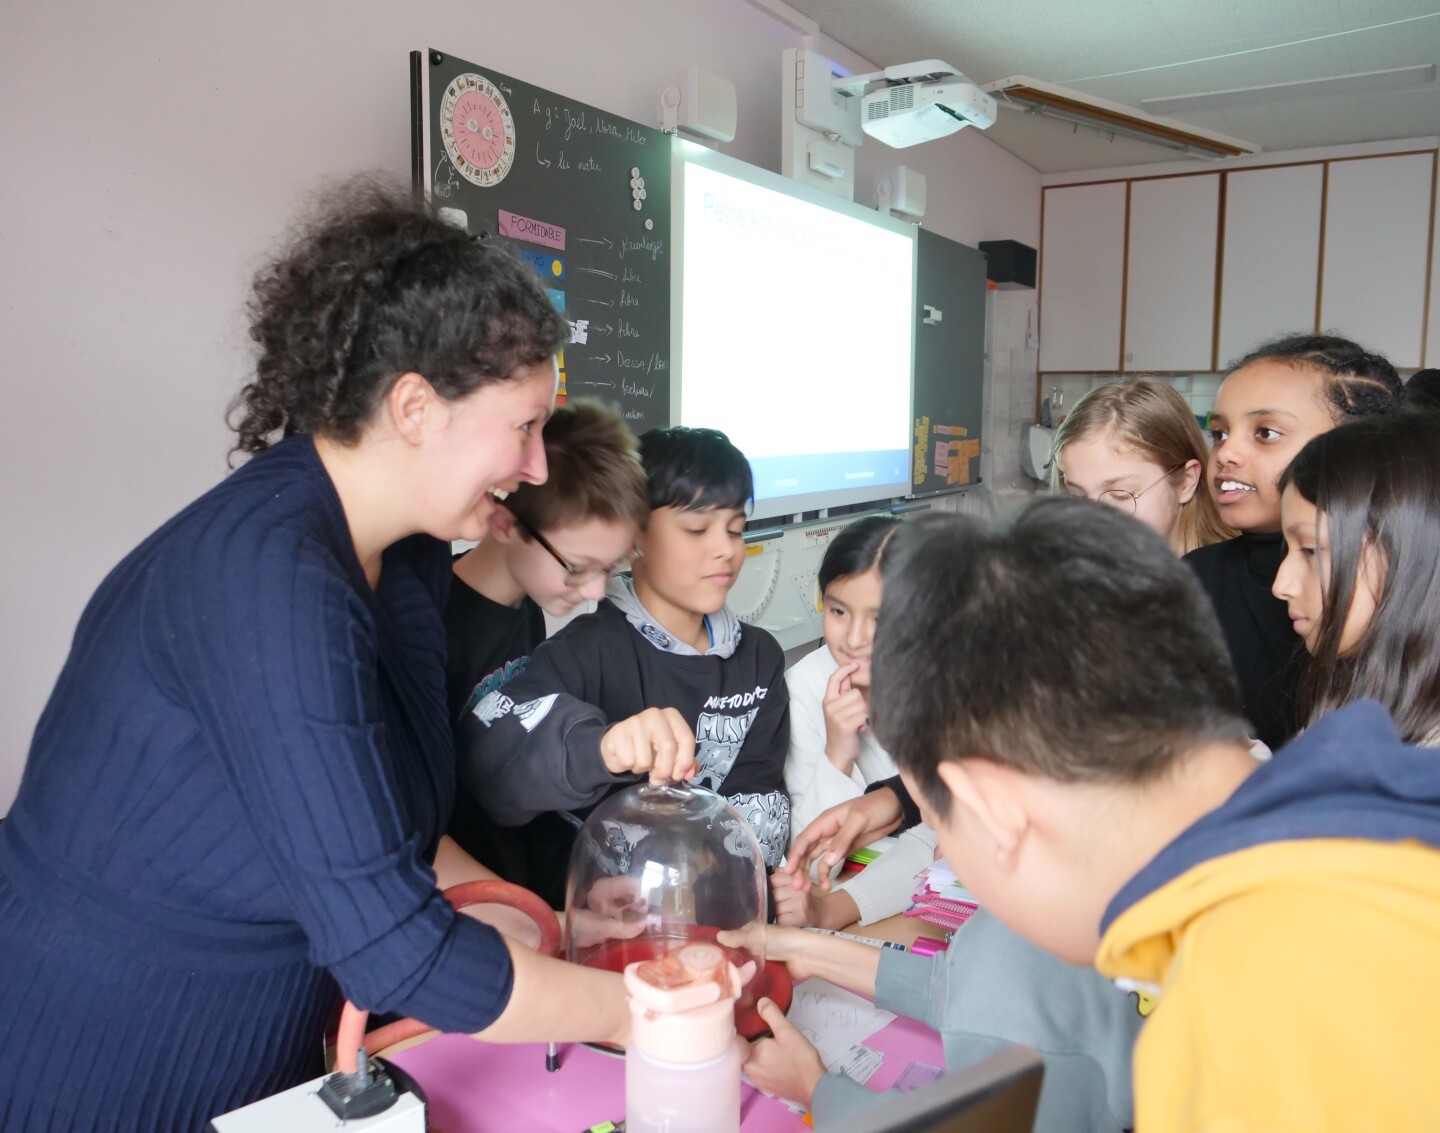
<point>535,745</point>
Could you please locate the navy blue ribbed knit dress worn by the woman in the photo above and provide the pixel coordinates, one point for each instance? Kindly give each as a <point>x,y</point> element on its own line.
<point>228,811</point>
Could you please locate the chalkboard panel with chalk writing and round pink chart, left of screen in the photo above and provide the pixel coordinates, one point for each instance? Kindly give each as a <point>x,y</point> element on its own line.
<point>581,195</point>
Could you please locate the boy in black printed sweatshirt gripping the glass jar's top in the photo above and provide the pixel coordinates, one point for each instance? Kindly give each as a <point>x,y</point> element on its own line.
<point>662,680</point>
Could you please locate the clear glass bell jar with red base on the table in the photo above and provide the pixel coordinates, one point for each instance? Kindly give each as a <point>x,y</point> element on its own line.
<point>659,867</point>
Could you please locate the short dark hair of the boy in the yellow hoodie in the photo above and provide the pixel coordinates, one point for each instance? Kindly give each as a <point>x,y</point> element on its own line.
<point>1071,644</point>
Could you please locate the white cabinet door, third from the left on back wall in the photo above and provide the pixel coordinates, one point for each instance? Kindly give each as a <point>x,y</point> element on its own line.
<point>1272,257</point>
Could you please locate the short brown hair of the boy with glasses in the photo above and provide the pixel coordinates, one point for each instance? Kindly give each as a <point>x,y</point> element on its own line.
<point>595,473</point>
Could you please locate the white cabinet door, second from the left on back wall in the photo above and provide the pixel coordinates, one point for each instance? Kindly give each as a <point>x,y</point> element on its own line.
<point>1170,293</point>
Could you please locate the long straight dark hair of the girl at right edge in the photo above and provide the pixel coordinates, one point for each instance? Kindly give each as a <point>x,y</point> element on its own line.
<point>1379,483</point>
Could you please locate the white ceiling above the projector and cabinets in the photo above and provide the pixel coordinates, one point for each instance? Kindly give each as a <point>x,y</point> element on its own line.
<point>1130,50</point>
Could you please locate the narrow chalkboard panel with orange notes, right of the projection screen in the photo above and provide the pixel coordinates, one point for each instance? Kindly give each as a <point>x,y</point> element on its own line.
<point>950,366</point>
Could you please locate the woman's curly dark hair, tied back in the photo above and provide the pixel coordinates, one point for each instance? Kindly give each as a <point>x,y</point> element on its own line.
<point>375,287</point>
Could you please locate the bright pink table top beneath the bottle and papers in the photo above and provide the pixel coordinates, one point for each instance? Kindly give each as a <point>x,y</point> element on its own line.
<point>477,1088</point>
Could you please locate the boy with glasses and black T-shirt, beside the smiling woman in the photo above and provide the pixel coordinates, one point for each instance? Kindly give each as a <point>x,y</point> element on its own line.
<point>551,548</point>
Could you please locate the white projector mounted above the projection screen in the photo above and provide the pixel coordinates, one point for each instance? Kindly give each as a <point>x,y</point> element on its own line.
<point>915,103</point>
